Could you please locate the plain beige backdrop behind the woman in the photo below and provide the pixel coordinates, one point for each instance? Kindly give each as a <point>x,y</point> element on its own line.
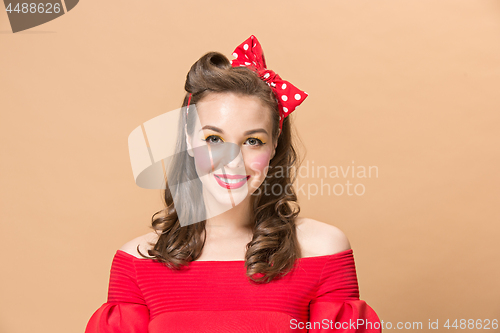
<point>408,86</point>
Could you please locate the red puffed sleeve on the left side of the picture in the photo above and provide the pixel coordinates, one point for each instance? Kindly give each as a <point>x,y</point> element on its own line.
<point>125,310</point>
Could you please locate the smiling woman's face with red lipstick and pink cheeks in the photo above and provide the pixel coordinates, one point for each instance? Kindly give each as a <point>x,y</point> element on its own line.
<point>240,127</point>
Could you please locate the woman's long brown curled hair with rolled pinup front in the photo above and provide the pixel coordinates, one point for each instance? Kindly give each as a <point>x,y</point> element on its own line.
<point>274,247</point>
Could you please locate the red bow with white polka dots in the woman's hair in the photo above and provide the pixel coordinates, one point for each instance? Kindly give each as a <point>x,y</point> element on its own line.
<point>250,54</point>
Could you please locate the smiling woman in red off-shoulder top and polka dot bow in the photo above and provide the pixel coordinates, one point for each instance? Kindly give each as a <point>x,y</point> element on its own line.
<point>251,265</point>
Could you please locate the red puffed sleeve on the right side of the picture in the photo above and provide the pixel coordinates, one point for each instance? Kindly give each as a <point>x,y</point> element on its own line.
<point>336,306</point>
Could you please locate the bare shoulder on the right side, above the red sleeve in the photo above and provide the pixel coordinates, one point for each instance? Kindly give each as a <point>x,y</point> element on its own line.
<point>319,238</point>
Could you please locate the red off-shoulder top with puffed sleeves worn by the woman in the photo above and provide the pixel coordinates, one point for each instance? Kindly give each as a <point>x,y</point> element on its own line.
<point>320,294</point>
